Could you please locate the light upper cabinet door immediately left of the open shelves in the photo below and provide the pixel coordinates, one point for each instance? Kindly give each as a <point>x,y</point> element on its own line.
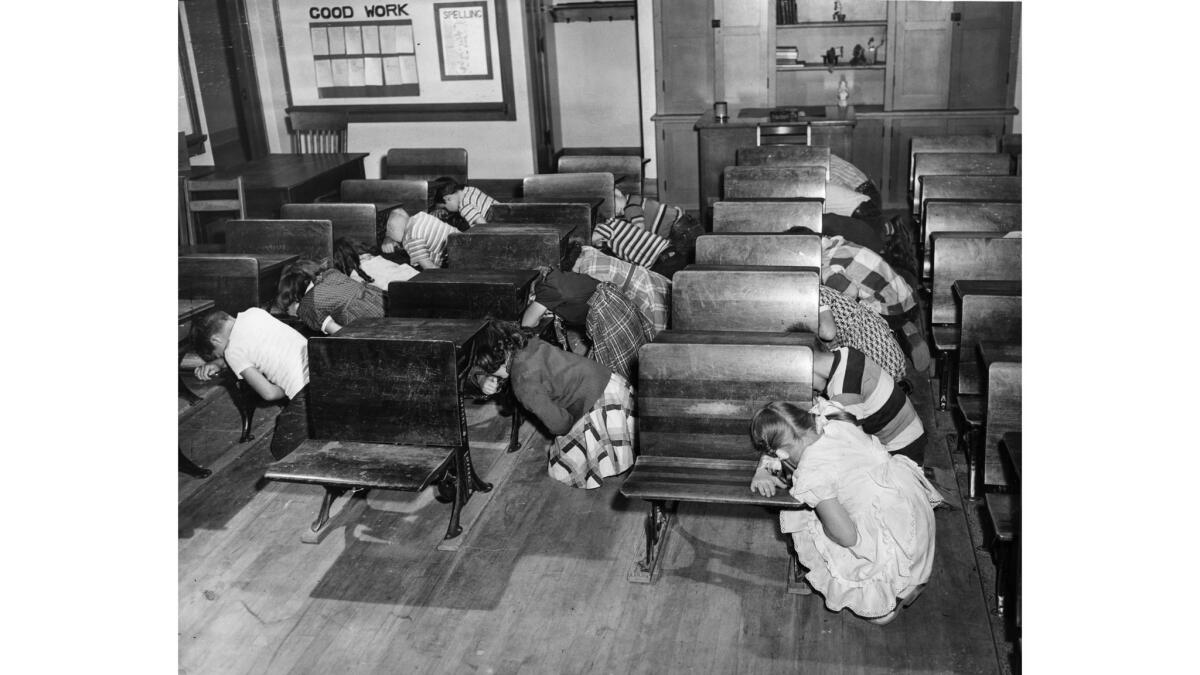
<point>742,44</point>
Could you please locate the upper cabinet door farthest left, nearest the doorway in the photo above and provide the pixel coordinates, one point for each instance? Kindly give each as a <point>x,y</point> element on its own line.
<point>686,56</point>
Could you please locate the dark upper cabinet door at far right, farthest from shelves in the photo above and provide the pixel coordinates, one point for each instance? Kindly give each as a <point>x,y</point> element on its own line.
<point>981,55</point>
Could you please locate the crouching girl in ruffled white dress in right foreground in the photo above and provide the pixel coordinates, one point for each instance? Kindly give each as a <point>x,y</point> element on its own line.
<point>868,541</point>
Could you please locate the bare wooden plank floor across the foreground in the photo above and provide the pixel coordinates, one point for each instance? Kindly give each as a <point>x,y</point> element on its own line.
<point>539,582</point>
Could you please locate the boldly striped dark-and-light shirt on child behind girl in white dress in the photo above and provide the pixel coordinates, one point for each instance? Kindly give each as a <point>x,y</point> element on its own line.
<point>871,395</point>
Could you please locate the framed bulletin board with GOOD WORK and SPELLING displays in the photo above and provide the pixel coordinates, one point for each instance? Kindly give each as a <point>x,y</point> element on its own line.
<point>424,61</point>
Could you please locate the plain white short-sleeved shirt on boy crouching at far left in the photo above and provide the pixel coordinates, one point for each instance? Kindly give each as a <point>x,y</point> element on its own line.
<point>274,349</point>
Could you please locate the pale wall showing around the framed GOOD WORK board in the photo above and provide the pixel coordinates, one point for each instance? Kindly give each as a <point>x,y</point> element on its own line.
<point>496,150</point>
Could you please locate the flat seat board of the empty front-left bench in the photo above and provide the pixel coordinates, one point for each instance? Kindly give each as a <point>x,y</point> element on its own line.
<point>363,465</point>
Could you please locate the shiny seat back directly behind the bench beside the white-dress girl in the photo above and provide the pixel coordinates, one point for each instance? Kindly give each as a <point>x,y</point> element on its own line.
<point>755,298</point>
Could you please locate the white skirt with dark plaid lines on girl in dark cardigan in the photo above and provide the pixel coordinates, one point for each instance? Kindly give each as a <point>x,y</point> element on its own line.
<point>601,444</point>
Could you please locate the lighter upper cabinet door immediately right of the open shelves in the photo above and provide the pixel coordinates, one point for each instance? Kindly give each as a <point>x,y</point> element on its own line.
<point>920,61</point>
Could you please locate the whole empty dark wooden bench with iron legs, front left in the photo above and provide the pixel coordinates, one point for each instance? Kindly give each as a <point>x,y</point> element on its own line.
<point>386,410</point>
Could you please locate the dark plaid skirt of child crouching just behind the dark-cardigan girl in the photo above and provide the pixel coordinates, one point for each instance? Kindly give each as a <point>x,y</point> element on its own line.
<point>616,330</point>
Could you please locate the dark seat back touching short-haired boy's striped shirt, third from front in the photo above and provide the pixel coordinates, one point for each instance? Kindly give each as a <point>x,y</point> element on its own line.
<point>503,247</point>
